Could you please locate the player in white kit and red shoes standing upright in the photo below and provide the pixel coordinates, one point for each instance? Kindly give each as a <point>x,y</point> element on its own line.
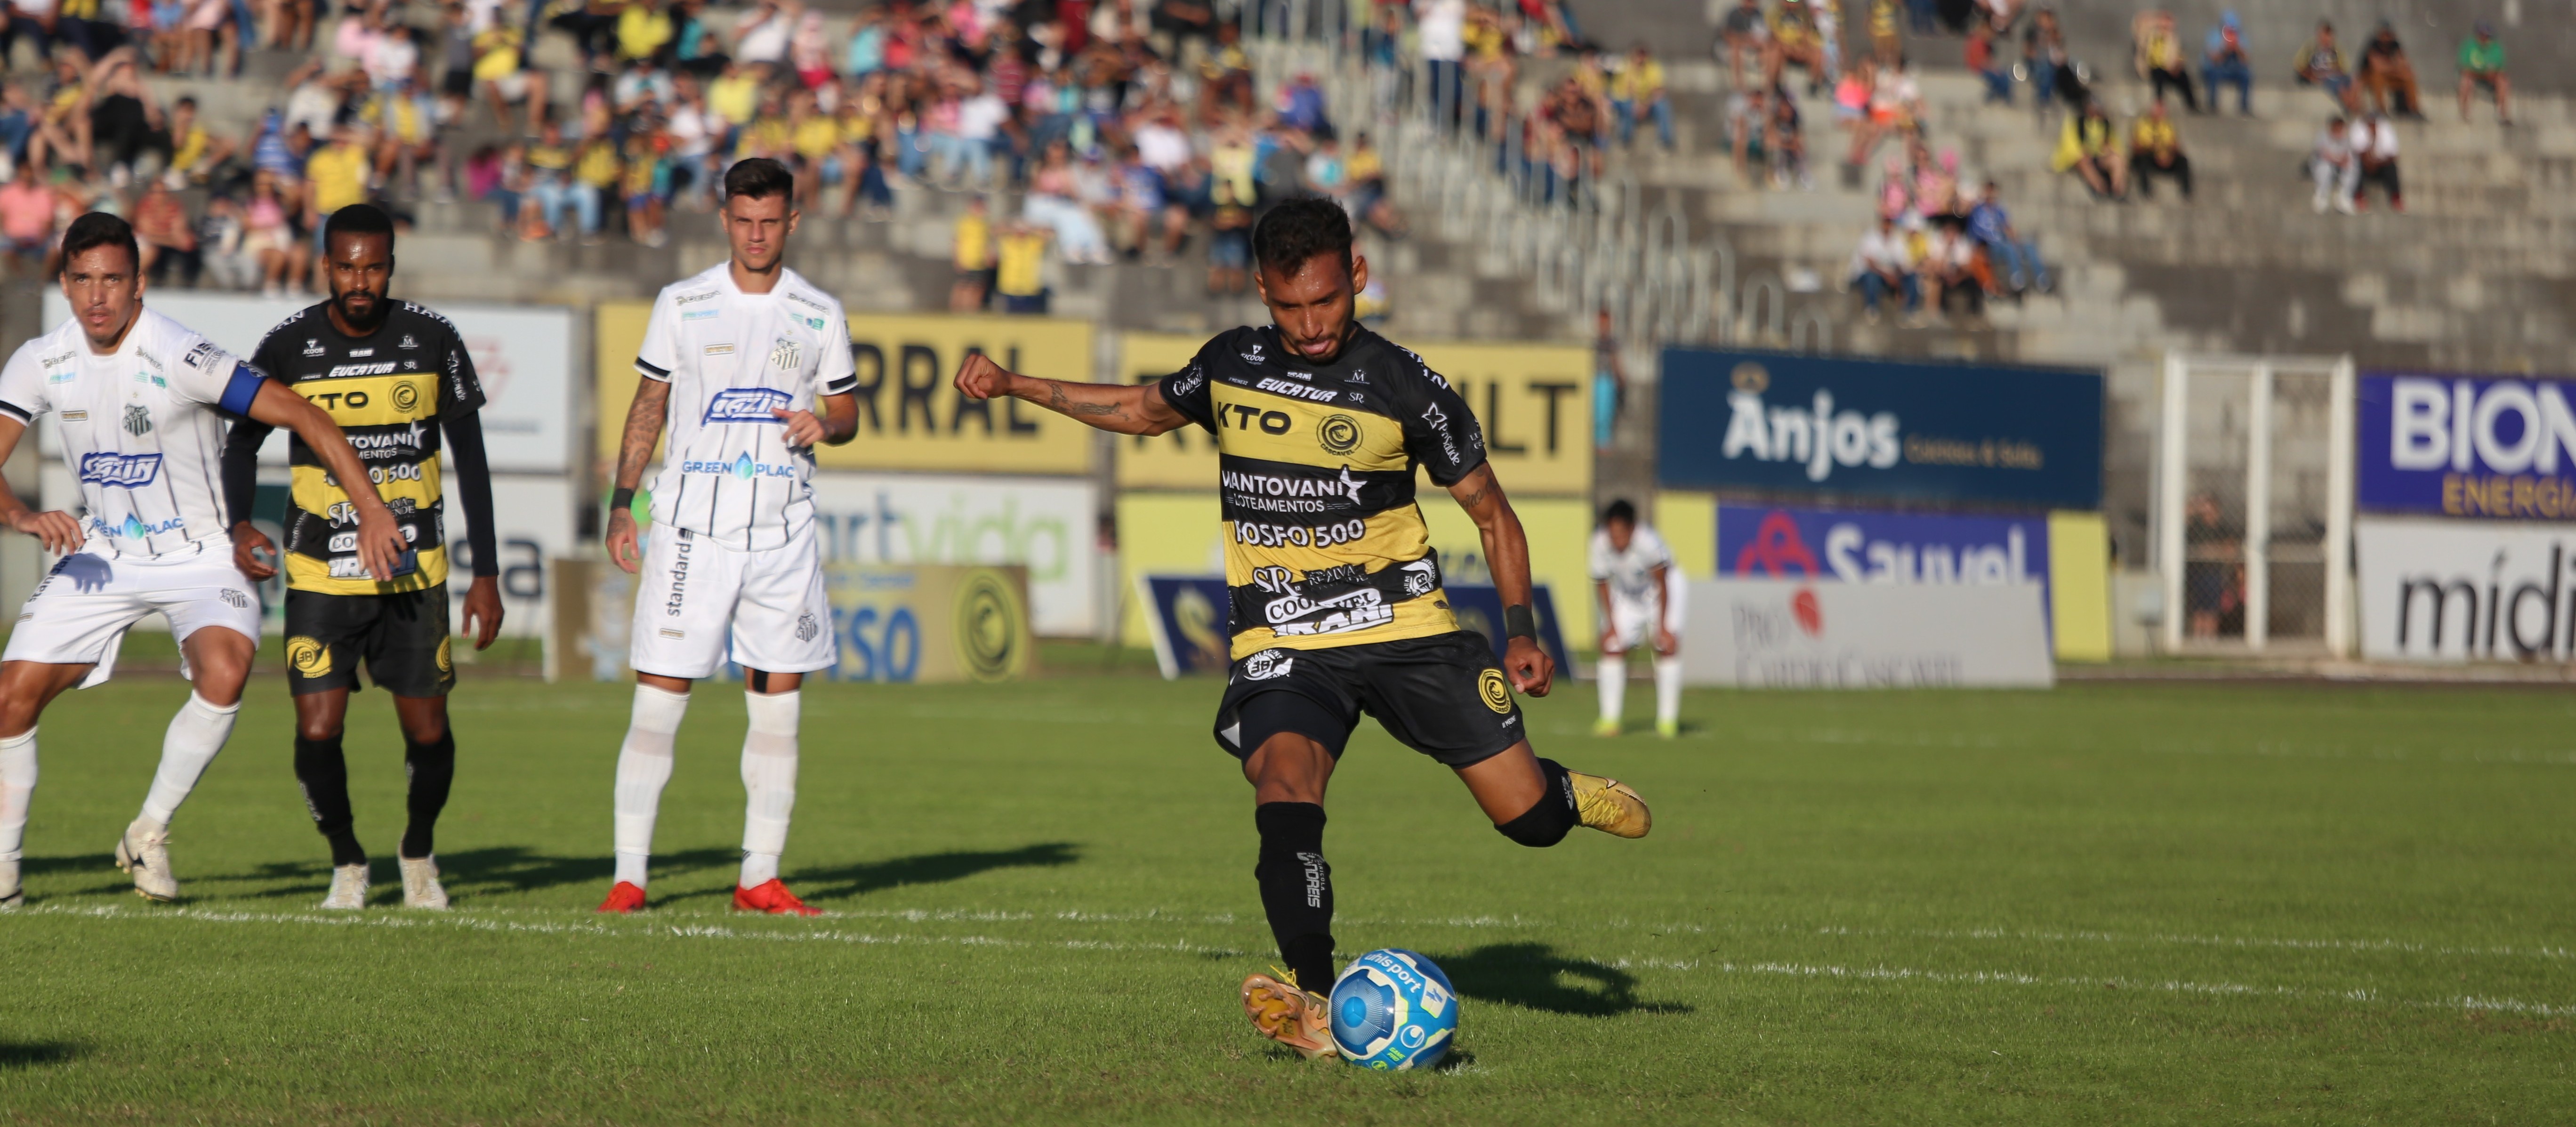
<point>733,362</point>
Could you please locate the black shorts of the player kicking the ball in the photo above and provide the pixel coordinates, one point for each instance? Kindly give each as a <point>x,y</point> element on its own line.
<point>1441,696</point>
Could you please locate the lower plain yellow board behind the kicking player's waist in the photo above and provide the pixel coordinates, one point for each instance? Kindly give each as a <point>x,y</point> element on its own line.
<point>1184,536</point>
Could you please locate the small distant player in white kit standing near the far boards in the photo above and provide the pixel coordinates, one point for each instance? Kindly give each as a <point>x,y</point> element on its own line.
<point>1642,606</point>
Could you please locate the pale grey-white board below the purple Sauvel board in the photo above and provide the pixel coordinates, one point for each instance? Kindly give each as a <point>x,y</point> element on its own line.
<point>1797,634</point>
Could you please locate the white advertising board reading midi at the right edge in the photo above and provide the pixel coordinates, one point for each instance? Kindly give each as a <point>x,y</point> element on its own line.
<point>2454,591</point>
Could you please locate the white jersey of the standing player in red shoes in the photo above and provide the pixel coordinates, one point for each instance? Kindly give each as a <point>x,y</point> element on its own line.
<point>733,359</point>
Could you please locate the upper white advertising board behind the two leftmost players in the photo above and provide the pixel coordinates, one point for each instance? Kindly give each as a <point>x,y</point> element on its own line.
<point>522,354</point>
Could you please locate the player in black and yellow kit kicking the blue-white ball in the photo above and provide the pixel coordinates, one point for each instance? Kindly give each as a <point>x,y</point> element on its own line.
<point>1336,591</point>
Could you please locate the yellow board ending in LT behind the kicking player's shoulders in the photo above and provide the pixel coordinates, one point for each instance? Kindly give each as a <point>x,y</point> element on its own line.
<point>1534,405</point>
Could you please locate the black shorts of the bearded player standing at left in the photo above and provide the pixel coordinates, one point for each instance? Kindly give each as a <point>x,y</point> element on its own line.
<point>401,637</point>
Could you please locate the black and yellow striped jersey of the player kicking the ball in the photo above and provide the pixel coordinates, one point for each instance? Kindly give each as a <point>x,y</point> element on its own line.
<point>1325,544</point>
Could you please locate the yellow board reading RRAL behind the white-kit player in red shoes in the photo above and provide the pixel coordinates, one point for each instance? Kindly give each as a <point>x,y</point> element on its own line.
<point>911,418</point>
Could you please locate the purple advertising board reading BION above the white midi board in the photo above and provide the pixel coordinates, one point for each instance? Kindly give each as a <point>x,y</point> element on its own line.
<point>2467,446</point>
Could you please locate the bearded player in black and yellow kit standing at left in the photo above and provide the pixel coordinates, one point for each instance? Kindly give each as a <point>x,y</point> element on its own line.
<point>393,377</point>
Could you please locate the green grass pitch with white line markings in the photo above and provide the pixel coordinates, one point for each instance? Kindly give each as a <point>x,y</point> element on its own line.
<point>2096,904</point>
